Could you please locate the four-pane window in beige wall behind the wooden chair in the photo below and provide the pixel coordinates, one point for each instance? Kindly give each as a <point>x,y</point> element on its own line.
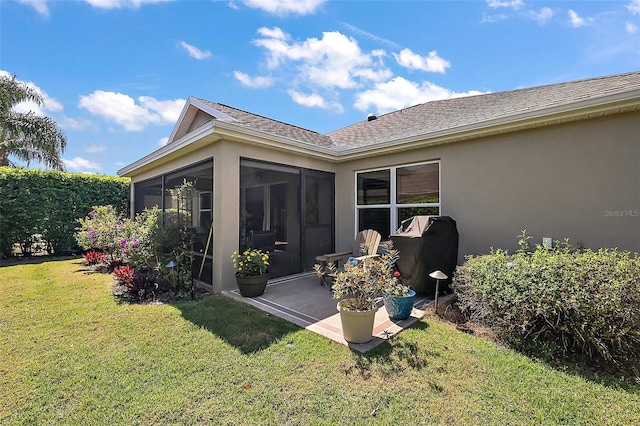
<point>387,197</point>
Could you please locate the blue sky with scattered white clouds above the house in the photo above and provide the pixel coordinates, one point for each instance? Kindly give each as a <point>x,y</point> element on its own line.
<point>115,73</point>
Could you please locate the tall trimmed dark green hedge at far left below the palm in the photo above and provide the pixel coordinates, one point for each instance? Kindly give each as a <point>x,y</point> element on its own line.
<point>39,209</point>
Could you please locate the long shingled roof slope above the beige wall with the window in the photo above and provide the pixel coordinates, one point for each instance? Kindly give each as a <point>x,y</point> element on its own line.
<point>435,116</point>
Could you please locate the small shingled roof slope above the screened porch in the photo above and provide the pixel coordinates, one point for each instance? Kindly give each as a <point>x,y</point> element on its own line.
<point>271,126</point>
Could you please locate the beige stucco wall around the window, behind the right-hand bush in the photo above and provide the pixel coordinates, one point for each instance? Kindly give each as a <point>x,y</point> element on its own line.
<point>579,180</point>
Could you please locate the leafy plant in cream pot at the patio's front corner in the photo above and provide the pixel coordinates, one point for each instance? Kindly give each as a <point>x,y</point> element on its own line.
<point>359,288</point>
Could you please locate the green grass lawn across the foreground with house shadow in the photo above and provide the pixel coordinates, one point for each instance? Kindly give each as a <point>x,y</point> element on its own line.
<point>71,354</point>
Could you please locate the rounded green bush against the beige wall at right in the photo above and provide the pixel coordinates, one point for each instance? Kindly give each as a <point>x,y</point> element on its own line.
<point>568,301</point>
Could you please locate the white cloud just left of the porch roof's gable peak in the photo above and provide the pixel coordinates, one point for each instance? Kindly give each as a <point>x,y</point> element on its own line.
<point>133,116</point>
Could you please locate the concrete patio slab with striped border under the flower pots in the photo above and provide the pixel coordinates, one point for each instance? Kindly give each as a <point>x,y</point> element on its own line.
<point>301,300</point>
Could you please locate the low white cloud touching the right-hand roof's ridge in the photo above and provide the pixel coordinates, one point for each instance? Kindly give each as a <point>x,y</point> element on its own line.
<point>399,93</point>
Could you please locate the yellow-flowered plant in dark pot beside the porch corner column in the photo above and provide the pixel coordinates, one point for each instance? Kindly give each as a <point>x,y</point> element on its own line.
<point>251,271</point>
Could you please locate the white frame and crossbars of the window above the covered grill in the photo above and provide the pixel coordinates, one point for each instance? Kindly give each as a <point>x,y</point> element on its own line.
<point>393,206</point>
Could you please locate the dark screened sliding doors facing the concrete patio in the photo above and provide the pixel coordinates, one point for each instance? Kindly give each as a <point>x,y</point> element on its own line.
<point>287,211</point>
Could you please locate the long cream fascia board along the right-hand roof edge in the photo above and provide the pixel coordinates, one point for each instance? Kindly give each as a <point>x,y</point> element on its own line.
<point>619,102</point>
